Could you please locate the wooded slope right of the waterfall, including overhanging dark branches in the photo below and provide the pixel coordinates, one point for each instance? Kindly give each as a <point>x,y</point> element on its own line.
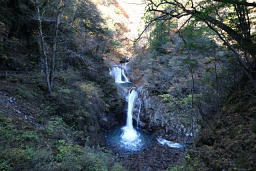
<point>201,53</point>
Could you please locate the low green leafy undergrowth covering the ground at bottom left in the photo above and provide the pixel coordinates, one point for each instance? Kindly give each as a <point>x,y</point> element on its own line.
<point>23,147</point>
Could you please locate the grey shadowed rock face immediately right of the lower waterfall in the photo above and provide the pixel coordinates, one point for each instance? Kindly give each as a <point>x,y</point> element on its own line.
<point>153,118</point>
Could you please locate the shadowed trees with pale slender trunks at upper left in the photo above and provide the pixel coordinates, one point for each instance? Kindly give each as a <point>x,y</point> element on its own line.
<point>64,32</point>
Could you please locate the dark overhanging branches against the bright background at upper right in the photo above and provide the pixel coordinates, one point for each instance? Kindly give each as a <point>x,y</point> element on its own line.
<point>231,20</point>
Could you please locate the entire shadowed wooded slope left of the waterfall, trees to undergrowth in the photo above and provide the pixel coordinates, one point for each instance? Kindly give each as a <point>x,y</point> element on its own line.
<point>51,53</point>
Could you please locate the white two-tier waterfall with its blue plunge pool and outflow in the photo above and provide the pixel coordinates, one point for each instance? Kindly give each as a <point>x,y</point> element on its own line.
<point>127,137</point>
